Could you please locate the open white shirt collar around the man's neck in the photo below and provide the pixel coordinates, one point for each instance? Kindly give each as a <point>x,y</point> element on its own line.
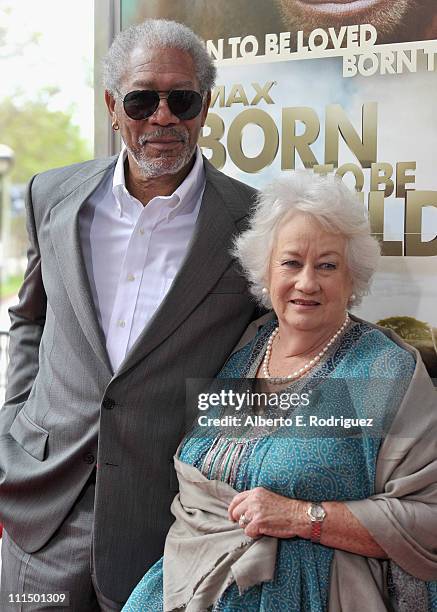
<point>184,197</point>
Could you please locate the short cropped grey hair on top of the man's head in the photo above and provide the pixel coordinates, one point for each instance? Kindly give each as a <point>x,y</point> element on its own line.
<point>156,34</point>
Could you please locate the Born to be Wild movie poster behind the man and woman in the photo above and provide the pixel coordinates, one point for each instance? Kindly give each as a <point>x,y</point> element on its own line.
<point>344,87</point>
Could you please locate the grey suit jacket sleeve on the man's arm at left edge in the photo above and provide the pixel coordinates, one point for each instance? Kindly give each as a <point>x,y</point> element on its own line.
<point>27,324</point>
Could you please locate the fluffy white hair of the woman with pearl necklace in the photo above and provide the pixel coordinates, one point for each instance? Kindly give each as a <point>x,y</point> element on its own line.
<point>329,202</point>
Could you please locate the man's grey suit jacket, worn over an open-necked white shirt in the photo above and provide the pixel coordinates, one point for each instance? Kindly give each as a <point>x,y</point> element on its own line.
<point>66,412</point>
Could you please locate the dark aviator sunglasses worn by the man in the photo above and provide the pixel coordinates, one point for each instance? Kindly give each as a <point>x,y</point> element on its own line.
<point>142,103</point>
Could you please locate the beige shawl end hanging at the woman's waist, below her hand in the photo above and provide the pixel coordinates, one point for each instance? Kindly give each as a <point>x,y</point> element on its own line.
<point>204,551</point>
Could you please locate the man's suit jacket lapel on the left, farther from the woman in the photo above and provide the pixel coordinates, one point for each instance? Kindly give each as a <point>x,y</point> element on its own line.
<point>64,232</point>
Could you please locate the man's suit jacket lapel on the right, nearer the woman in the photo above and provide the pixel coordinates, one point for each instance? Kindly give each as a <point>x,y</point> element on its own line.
<point>204,264</point>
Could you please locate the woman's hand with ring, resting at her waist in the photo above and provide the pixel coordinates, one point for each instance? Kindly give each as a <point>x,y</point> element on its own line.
<point>268,513</point>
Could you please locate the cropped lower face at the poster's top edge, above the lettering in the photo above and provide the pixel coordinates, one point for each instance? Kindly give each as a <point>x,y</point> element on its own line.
<point>390,17</point>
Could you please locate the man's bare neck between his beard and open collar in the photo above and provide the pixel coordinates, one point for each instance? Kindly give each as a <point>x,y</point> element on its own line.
<point>145,189</point>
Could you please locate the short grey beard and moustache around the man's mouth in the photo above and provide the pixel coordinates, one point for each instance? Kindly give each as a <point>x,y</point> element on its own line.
<point>160,166</point>
